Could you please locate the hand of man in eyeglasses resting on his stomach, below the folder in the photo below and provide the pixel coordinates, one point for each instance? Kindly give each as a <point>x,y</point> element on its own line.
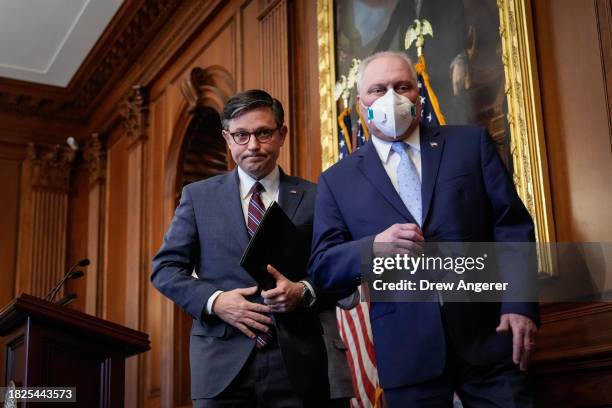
<point>234,309</point>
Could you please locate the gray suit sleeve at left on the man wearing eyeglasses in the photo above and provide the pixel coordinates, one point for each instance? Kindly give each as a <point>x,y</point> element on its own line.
<point>177,258</point>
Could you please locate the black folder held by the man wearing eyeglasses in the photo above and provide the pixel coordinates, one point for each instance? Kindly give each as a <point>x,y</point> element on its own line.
<point>276,242</point>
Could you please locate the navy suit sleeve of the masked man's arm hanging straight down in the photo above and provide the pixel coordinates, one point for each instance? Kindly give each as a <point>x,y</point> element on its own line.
<point>513,226</point>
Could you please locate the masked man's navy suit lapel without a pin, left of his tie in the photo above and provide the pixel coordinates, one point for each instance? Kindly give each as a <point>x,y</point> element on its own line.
<point>375,173</point>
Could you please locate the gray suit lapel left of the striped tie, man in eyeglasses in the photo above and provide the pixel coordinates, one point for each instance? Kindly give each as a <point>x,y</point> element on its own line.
<point>231,206</point>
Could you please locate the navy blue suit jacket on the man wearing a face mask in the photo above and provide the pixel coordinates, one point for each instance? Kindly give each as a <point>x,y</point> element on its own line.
<point>467,195</point>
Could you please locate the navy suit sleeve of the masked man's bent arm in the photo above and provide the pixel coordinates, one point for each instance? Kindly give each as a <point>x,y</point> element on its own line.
<point>335,263</point>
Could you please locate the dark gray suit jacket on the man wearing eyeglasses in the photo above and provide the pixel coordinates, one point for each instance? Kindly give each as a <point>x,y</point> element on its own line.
<point>208,234</point>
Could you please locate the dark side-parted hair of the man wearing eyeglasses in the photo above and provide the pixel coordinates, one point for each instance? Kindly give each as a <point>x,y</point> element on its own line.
<point>246,101</point>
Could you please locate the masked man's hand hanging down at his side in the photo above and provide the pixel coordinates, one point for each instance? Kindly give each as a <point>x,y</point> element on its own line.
<point>523,337</point>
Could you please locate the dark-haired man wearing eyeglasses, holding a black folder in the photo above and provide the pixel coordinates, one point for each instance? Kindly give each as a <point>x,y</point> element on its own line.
<point>250,349</point>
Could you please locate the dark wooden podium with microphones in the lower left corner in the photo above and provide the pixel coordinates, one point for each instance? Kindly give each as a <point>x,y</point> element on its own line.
<point>45,345</point>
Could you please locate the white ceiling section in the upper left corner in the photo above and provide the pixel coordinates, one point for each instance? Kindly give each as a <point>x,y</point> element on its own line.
<point>45,41</point>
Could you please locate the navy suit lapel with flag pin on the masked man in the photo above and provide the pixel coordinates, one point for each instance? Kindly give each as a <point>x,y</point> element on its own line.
<point>432,146</point>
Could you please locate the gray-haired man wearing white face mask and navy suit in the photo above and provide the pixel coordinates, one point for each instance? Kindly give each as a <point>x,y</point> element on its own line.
<point>413,184</point>
